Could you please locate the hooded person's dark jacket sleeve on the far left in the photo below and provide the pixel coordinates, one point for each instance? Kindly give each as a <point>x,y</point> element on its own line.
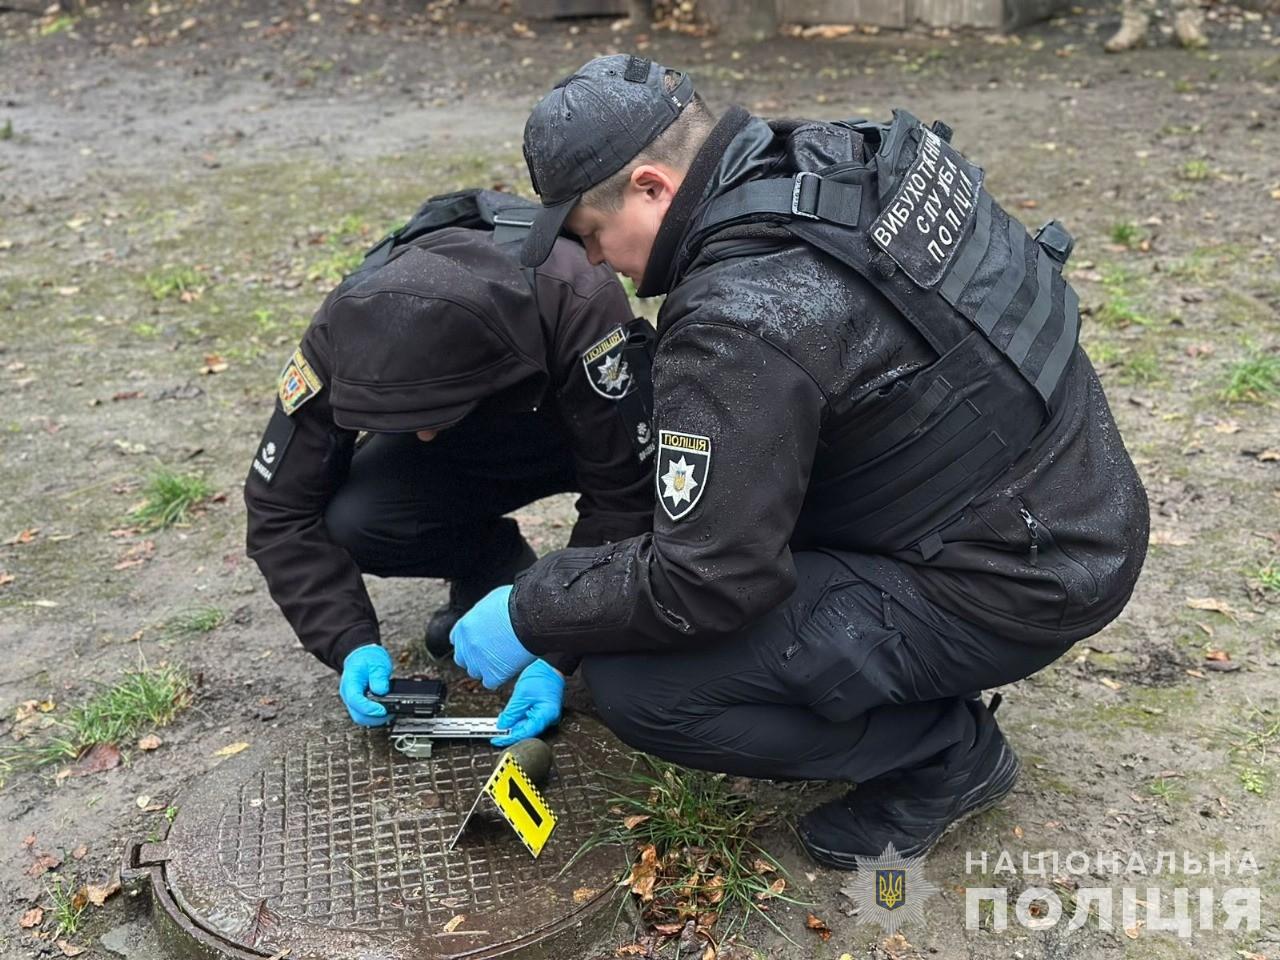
<point>314,582</point>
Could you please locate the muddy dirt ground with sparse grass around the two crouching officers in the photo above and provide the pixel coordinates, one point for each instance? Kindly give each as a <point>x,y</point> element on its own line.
<point>260,144</point>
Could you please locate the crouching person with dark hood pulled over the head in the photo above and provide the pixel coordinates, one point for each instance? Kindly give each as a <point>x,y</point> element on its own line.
<point>483,387</point>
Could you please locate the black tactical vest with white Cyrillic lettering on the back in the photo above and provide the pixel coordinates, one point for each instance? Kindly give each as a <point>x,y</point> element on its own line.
<point>918,225</point>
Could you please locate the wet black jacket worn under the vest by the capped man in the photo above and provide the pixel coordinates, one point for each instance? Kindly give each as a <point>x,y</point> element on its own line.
<point>775,354</point>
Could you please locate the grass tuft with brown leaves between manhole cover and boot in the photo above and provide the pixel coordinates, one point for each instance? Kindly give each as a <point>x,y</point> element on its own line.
<point>697,849</point>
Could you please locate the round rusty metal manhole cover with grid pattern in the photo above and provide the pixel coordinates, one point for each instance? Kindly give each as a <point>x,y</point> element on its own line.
<point>333,845</point>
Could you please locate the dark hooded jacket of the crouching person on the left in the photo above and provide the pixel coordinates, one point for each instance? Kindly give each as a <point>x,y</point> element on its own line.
<point>533,351</point>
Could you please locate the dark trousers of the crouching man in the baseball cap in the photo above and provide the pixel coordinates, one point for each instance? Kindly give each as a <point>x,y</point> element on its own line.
<point>854,676</point>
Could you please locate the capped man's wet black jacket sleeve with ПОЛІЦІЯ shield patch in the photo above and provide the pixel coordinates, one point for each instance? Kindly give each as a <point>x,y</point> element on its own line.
<point>726,561</point>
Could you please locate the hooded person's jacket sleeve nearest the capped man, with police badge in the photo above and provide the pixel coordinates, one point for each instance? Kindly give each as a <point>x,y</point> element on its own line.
<point>616,492</point>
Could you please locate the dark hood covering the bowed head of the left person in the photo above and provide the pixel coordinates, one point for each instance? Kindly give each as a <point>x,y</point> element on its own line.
<point>447,324</point>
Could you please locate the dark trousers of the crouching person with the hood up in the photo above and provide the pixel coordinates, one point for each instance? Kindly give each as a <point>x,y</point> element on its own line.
<point>410,509</point>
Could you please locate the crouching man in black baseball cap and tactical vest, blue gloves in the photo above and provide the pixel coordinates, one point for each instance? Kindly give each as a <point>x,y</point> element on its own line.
<point>888,477</point>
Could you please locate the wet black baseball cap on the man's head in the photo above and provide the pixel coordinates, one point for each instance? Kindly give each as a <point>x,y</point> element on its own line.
<point>589,127</point>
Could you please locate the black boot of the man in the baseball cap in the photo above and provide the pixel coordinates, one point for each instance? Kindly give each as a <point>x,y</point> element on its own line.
<point>913,810</point>
